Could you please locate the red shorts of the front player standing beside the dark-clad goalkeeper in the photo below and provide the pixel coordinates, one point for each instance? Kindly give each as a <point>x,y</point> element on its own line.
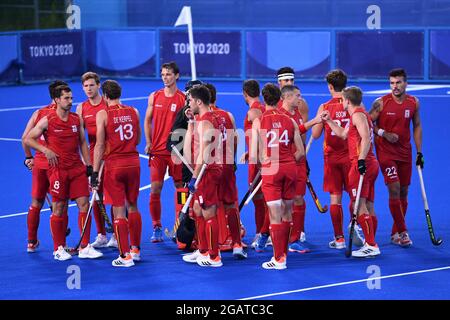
<point>207,193</point>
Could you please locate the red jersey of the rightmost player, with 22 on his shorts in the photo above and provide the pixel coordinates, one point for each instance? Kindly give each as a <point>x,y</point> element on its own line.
<point>396,118</point>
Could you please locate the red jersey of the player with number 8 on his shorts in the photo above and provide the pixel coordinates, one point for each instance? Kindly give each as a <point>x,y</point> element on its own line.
<point>63,138</point>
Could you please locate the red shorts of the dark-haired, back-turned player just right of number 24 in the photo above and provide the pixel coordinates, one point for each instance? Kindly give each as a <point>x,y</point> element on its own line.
<point>335,176</point>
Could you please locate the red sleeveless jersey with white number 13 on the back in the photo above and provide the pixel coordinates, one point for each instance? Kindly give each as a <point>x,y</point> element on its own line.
<point>121,137</point>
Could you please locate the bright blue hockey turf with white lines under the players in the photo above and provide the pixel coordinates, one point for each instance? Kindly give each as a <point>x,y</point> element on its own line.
<point>162,274</point>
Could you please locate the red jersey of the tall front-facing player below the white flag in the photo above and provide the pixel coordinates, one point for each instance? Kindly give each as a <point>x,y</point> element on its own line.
<point>165,110</point>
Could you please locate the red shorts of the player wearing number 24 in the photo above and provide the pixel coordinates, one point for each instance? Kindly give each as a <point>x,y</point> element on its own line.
<point>281,185</point>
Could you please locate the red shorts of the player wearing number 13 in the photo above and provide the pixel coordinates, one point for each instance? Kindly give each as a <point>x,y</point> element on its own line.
<point>121,184</point>
